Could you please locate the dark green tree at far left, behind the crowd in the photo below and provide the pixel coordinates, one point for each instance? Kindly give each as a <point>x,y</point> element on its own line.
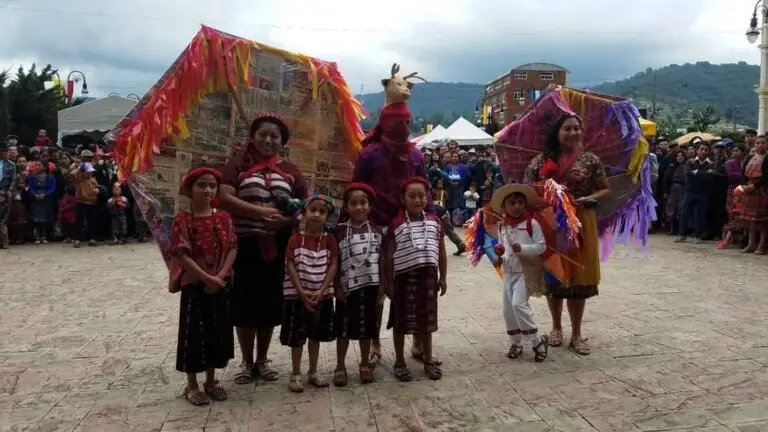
<point>31,105</point>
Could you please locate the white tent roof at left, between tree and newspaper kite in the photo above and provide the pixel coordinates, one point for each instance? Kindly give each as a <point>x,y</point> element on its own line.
<point>100,115</point>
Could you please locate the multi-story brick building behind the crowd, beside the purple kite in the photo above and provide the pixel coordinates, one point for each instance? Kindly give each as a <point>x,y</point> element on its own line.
<point>512,93</point>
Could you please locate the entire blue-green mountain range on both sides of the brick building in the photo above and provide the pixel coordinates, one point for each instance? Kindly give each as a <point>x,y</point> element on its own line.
<point>677,90</point>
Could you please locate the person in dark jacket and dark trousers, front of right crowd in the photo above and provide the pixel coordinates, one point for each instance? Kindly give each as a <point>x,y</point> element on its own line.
<point>699,173</point>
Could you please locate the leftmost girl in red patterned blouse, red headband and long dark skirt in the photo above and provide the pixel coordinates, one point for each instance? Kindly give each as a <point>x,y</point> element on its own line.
<point>203,249</point>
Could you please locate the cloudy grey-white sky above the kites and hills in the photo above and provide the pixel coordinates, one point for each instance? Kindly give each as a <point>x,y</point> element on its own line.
<point>123,46</point>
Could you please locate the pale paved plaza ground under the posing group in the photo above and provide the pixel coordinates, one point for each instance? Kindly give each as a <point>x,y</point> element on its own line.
<point>88,339</point>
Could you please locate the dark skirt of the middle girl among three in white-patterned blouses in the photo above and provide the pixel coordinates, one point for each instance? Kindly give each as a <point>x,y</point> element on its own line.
<point>357,318</point>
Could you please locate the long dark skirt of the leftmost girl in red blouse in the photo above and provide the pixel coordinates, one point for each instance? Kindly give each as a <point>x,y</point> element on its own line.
<point>205,330</point>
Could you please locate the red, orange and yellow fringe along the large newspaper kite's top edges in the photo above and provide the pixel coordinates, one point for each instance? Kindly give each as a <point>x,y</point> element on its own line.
<point>213,62</point>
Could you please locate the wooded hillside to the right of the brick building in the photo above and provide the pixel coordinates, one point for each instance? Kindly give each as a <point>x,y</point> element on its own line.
<point>729,87</point>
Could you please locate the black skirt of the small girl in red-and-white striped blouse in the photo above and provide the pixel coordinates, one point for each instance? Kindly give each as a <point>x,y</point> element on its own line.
<point>300,324</point>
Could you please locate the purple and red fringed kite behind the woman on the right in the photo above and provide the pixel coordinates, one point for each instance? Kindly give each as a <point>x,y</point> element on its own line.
<point>612,131</point>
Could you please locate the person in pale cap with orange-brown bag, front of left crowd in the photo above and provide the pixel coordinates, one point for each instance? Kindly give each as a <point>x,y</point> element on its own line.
<point>87,209</point>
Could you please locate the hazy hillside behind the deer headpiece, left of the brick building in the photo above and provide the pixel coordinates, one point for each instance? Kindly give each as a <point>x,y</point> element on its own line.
<point>434,102</point>
